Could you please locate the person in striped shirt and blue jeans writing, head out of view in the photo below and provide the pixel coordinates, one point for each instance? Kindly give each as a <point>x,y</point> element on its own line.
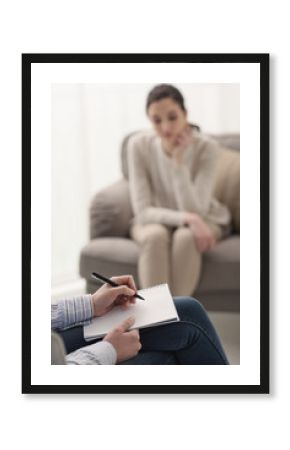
<point>192,340</point>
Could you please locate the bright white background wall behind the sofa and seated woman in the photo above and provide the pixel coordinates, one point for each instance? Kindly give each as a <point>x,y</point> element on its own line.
<point>89,122</point>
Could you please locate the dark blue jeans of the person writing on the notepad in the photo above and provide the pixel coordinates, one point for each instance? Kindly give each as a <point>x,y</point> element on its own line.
<point>193,340</point>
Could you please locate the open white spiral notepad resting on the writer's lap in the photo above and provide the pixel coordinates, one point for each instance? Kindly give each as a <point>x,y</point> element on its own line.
<point>158,308</point>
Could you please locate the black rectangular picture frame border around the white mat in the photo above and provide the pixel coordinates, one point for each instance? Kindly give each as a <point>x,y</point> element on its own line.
<point>263,61</point>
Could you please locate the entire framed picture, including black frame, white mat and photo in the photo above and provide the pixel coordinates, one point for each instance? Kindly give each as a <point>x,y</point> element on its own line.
<point>81,116</point>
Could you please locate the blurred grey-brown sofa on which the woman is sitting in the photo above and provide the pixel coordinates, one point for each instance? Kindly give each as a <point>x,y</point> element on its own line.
<point>111,251</point>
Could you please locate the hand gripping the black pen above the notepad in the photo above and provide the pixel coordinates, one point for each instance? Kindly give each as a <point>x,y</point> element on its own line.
<point>106,297</point>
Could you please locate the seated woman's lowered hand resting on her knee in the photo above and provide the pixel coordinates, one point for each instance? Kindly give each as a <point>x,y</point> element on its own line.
<point>203,235</point>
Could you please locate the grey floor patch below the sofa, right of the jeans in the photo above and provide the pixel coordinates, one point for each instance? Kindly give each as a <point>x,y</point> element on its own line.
<point>228,328</point>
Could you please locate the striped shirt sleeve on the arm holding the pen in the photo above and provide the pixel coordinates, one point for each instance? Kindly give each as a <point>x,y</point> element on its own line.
<point>71,312</point>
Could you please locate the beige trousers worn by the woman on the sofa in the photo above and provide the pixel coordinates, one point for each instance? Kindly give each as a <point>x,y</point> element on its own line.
<point>169,256</point>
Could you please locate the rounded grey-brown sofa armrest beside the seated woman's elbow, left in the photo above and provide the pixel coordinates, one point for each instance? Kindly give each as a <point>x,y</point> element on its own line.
<point>111,211</point>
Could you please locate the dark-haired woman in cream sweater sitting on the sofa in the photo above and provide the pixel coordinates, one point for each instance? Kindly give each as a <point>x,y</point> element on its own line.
<point>171,179</point>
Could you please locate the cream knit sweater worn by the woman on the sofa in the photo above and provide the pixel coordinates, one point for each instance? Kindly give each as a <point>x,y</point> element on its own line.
<point>163,192</point>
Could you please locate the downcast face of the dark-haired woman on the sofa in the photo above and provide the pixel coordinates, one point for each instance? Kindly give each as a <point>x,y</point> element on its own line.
<point>168,119</point>
